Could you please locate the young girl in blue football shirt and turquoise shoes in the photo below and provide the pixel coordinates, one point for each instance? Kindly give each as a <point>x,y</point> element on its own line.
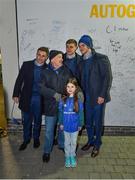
<point>71,120</point>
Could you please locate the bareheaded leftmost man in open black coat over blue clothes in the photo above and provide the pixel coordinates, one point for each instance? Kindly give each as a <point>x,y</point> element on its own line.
<point>26,93</point>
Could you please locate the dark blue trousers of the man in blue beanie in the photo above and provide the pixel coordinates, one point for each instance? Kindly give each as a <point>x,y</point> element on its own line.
<point>94,123</point>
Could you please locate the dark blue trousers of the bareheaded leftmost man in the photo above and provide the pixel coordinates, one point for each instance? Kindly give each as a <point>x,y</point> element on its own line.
<point>34,115</point>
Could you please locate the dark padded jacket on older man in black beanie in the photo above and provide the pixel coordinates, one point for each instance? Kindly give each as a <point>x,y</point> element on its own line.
<point>52,83</point>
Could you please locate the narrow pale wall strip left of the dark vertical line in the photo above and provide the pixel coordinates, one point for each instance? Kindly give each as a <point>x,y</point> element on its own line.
<point>8,45</point>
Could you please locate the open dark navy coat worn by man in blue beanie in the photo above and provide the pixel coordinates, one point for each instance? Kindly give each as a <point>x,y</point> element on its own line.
<point>100,77</point>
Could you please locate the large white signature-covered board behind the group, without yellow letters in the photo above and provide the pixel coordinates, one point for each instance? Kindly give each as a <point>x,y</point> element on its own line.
<point>52,22</point>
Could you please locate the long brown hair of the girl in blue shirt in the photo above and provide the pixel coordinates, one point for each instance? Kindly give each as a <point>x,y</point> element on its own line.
<point>64,97</point>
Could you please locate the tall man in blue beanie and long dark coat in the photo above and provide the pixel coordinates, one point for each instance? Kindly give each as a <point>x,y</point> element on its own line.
<point>95,78</point>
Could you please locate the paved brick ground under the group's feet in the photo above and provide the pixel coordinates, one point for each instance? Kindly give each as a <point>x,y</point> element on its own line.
<point>115,161</point>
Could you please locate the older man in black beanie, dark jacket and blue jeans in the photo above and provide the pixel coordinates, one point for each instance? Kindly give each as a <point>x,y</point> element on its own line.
<point>54,79</point>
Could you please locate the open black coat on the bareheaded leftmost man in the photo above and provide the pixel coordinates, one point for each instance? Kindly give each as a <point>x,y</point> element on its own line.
<point>23,85</point>
